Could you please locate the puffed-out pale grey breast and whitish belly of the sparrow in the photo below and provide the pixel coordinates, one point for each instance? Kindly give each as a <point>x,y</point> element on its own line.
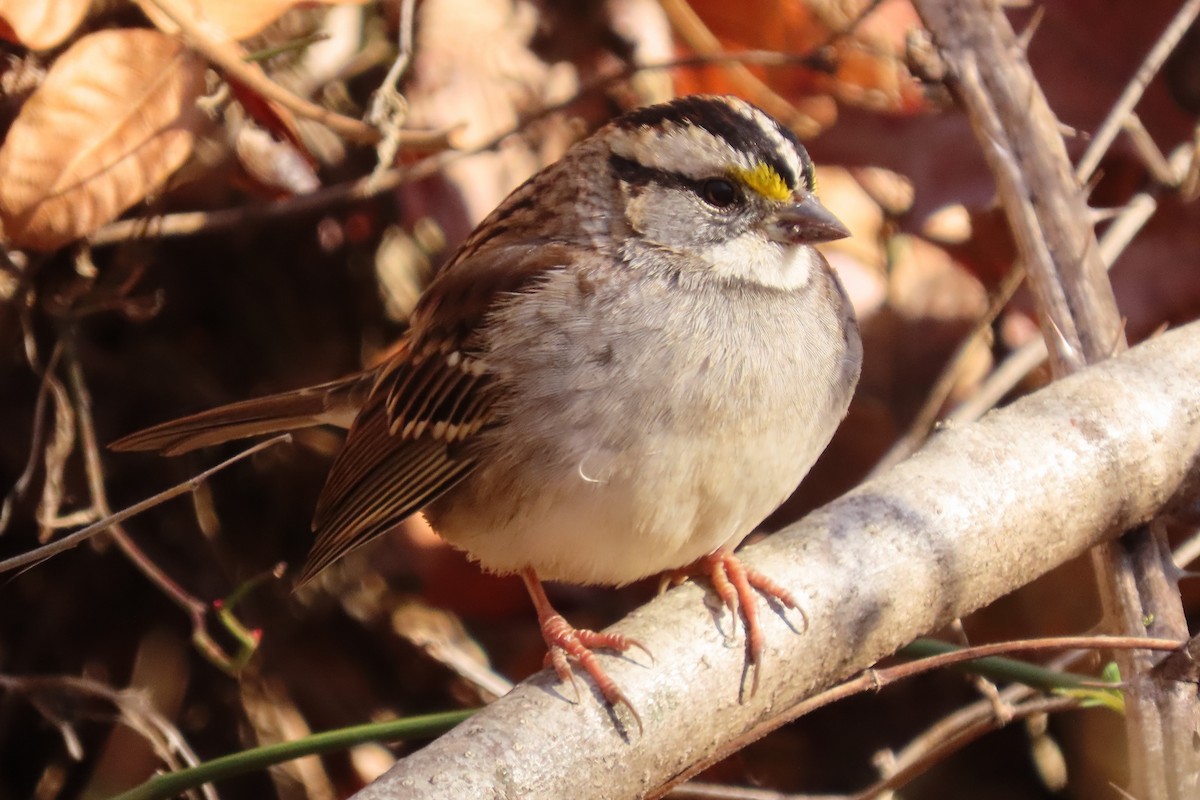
<point>627,458</point>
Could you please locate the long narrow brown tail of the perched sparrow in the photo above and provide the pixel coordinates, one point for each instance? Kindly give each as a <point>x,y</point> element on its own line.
<point>334,404</point>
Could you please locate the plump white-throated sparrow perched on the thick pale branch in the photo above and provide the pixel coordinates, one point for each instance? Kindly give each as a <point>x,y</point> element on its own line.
<point>628,366</point>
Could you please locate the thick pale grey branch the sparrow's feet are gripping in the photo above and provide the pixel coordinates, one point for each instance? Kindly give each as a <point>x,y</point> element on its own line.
<point>981,512</point>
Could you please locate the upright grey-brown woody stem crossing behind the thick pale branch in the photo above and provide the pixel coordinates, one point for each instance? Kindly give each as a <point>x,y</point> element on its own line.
<point>1048,215</point>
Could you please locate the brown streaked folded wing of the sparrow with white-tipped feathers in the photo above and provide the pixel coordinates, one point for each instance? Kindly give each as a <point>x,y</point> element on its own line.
<point>411,443</point>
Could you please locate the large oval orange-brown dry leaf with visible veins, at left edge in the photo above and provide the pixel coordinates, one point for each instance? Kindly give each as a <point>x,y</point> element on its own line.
<point>115,118</point>
